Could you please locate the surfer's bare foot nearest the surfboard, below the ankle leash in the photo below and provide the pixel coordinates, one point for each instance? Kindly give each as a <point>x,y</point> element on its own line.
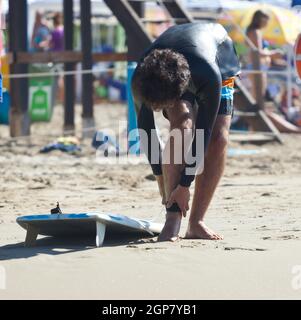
<point>171,229</point>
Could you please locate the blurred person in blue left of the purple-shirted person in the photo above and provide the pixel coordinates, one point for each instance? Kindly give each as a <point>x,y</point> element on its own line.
<point>41,35</point>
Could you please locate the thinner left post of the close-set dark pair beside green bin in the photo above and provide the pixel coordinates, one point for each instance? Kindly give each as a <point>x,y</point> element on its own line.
<point>69,79</point>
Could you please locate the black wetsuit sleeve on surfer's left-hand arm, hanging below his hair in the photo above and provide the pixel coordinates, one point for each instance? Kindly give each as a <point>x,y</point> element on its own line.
<point>149,140</point>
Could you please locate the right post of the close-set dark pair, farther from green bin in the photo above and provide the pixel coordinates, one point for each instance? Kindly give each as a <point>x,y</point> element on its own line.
<point>87,63</point>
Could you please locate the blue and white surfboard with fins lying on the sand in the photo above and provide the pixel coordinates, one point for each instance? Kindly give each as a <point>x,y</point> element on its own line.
<point>85,224</point>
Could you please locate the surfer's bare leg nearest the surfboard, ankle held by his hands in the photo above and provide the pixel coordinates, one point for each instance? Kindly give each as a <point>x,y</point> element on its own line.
<point>180,117</point>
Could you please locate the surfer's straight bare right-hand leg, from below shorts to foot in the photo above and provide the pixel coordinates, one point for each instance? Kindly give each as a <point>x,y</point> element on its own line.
<point>207,182</point>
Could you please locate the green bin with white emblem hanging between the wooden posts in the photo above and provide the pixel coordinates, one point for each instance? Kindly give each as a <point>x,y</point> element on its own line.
<point>41,94</point>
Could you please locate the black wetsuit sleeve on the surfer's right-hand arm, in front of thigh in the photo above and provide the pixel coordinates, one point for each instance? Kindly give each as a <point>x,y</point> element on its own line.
<point>208,98</point>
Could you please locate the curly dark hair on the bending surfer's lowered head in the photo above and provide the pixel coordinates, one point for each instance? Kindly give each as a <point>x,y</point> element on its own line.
<point>161,78</point>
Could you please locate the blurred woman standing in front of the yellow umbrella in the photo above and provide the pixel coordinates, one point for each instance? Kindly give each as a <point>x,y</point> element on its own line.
<point>259,21</point>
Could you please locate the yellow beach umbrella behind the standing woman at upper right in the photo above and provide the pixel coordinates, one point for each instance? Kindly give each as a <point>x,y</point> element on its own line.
<point>283,28</point>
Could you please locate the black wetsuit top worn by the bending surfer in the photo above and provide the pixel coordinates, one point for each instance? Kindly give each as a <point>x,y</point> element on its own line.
<point>212,58</point>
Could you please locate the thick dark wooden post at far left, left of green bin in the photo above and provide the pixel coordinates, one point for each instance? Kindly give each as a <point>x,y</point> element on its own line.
<point>18,41</point>
